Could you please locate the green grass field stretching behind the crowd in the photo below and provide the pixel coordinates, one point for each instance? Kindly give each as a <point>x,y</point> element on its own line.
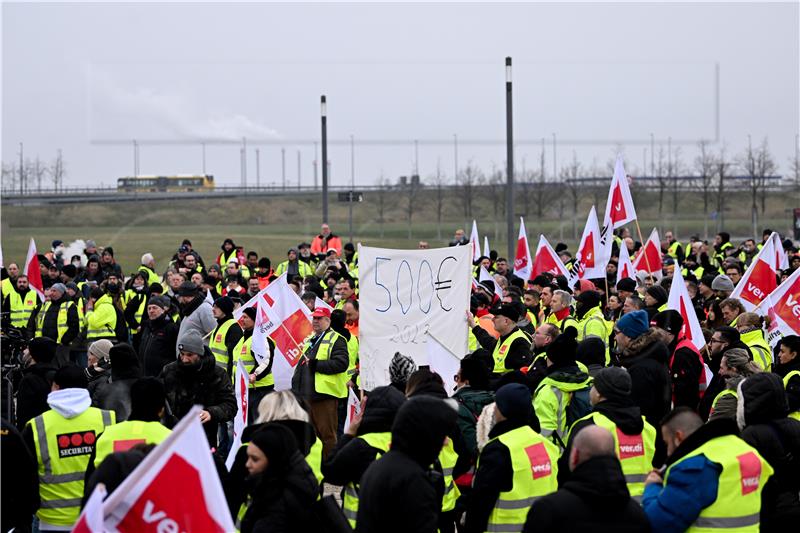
<point>272,226</point>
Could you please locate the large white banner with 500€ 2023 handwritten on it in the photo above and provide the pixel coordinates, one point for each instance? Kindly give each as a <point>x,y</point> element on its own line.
<point>406,297</point>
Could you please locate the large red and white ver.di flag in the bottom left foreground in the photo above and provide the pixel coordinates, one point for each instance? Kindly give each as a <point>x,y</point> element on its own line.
<point>175,488</point>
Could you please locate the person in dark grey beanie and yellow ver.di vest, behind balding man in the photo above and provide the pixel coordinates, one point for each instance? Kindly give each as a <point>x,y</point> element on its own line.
<point>634,437</point>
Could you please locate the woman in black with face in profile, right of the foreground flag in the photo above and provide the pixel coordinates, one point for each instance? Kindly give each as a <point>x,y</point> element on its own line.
<point>282,488</point>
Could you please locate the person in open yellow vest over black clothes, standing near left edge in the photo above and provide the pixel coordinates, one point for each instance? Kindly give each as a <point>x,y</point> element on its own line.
<point>58,319</point>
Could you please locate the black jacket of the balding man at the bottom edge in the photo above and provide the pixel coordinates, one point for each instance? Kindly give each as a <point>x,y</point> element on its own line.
<point>595,498</point>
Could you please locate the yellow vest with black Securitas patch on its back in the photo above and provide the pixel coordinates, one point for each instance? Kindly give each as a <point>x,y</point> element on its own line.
<point>63,447</point>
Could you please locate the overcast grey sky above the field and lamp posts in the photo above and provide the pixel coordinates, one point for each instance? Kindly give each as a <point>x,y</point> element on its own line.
<point>76,76</point>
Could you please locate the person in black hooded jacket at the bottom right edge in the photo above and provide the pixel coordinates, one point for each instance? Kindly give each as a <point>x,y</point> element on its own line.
<point>762,413</point>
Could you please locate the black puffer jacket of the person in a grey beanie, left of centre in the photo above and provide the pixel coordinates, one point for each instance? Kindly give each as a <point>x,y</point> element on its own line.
<point>207,385</point>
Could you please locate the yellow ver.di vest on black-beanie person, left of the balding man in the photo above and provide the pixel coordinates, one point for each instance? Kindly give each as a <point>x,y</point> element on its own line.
<point>534,462</point>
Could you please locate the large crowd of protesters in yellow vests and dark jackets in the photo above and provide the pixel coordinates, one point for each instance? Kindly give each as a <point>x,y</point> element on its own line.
<point>579,405</point>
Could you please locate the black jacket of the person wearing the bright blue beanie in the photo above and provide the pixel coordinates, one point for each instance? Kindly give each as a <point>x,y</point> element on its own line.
<point>646,359</point>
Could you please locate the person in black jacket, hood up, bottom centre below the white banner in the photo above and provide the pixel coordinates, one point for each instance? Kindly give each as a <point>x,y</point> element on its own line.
<point>398,491</point>
